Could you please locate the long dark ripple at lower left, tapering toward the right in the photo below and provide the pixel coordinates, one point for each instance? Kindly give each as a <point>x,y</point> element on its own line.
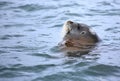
<point>19,67</point>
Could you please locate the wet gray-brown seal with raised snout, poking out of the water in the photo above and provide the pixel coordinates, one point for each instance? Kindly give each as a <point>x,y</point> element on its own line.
<point>77,37</point>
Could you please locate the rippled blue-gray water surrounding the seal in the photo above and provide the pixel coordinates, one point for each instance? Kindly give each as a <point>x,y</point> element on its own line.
<point>30,31</point>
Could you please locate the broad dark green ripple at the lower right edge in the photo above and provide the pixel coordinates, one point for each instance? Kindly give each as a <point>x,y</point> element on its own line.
<point>103,70</point>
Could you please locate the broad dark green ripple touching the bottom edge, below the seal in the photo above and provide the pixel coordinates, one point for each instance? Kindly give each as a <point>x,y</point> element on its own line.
<point>69,76</point>
